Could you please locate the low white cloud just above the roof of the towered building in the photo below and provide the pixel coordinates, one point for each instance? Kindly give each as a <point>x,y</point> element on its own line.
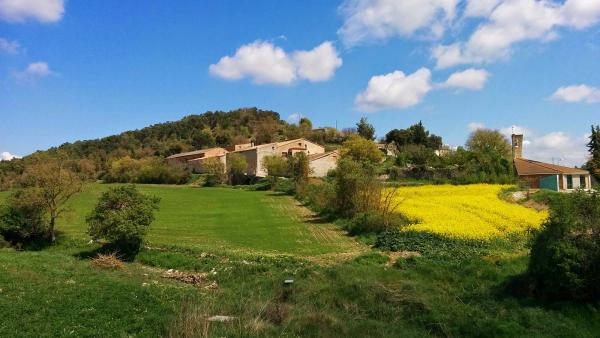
<point>555,147</point>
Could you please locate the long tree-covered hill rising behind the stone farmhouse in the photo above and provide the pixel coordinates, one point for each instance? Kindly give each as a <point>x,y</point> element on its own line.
<point>211,129</point>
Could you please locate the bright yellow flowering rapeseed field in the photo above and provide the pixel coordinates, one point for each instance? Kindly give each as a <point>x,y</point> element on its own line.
<point>467,212</point>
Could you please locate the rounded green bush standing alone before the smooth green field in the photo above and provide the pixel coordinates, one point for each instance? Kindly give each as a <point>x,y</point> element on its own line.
<point>122,216</point>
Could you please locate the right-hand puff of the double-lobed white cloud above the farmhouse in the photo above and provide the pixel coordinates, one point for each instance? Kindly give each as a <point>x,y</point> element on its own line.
<point>318,64</point>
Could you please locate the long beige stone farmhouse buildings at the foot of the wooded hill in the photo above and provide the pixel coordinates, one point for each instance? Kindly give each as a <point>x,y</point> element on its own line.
<point>320,161</point>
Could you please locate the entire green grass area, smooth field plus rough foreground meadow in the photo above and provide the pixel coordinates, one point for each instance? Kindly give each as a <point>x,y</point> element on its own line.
<point>248,243</point>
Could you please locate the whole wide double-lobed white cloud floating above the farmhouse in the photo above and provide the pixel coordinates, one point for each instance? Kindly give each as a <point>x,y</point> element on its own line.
<point>264,63</point>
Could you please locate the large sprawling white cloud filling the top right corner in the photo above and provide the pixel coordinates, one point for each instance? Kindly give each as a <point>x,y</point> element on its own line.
<point>511,22</point>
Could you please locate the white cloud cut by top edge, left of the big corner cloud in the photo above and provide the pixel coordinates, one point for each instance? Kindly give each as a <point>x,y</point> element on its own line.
<point>376,20</point>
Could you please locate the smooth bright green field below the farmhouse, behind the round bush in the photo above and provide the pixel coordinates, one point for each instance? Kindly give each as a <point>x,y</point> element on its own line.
<point>223,219</point>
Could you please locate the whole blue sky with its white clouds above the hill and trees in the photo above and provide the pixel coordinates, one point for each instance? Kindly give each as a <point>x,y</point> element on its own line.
<point>73,70</point>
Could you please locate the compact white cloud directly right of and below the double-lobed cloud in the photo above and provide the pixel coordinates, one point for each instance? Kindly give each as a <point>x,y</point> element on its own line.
<point>395,90</point>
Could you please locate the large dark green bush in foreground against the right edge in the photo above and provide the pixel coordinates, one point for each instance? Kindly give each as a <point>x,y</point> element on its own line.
<point>565,255</point>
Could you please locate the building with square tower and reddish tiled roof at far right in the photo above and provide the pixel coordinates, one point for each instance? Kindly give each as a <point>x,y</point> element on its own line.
<point>540,175</point>
